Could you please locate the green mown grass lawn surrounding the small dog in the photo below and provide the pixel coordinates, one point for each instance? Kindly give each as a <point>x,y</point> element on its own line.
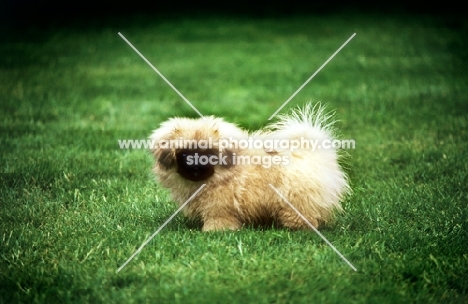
<point>74,207</point>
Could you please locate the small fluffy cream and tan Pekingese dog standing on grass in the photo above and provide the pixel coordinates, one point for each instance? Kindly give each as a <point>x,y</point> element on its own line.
<point>238,168</point>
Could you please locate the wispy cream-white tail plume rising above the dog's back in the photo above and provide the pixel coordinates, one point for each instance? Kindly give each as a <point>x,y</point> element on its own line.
<point>310,122</point>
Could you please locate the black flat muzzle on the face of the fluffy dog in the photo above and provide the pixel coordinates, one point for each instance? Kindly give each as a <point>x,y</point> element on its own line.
<point>195,165</point>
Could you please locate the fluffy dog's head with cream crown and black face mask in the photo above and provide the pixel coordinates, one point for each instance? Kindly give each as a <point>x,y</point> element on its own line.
<point>190,147</point>
